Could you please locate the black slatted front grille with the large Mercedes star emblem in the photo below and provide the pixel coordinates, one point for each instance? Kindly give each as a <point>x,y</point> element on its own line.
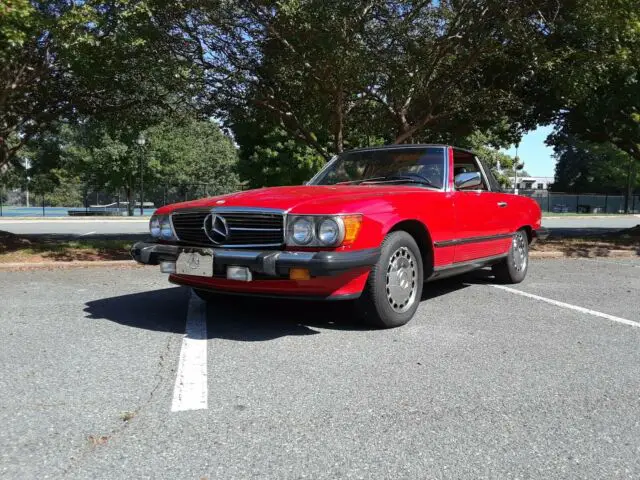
<point>259,229</point>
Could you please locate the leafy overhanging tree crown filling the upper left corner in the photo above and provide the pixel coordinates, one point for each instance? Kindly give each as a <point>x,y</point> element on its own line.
<point>62,60</point>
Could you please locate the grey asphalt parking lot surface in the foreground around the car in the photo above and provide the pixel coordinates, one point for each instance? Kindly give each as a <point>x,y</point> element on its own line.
<point>97,380</point>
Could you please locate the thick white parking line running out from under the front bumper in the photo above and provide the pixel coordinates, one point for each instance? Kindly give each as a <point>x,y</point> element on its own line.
<point>190,391</point>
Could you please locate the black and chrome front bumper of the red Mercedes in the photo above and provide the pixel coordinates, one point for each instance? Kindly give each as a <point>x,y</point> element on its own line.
<point>271,263</point>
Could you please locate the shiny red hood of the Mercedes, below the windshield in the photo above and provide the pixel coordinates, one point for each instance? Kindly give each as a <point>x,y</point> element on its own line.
<point>309,199</point>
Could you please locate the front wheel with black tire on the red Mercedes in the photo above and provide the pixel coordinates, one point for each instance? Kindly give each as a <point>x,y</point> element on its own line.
<point>400,262</point>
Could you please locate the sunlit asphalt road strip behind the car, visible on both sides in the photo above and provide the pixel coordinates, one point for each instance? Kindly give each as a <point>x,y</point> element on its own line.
<point>134,228</point>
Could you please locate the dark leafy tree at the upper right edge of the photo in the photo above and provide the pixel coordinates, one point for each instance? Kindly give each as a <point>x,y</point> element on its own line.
<point>592,81</point>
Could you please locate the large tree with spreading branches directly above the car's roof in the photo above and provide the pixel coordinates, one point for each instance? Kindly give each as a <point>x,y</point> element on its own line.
<point>409,69</point>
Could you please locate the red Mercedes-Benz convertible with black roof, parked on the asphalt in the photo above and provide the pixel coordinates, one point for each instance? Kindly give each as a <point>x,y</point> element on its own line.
<point>372,226</point>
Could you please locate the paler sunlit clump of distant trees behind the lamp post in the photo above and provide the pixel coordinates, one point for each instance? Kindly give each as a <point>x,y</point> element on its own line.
<point>178,152</point>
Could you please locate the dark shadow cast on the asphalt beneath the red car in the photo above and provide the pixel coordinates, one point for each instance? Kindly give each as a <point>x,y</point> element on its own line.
<point>247,319</point>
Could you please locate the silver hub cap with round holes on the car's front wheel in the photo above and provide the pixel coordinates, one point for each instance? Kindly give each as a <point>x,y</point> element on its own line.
<point>401,280</point>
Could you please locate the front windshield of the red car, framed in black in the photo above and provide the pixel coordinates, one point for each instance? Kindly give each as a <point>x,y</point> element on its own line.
<point>411,165</point>
